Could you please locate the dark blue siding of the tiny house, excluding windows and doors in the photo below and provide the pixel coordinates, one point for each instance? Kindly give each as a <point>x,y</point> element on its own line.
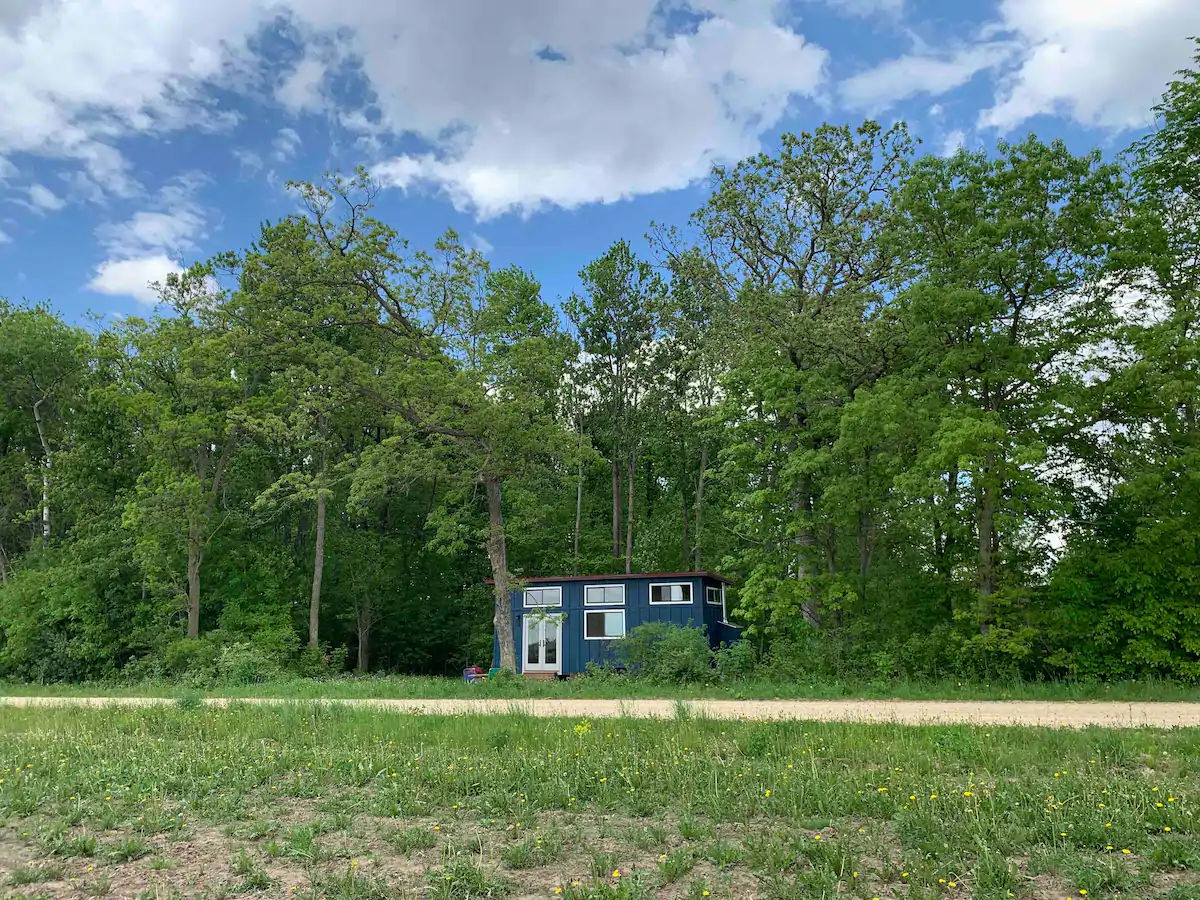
<point>578,652</point>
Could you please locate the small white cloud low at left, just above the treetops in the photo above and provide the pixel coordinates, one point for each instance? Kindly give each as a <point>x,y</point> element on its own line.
<point>147,248</point>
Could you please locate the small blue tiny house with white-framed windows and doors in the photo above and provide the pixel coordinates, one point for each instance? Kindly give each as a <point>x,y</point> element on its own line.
<point>561,625</point>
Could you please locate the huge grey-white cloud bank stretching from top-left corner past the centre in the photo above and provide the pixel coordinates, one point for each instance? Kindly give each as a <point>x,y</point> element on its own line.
<point>629,110</point>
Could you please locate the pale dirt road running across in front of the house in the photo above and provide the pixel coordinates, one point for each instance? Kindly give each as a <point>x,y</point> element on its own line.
<point>1031,713</point>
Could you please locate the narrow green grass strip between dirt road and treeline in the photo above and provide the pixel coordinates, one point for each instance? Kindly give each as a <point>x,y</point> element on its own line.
<point>622,688</point>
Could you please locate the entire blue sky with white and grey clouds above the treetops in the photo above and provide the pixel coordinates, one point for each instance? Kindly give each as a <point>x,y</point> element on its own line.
<point>141,136</point>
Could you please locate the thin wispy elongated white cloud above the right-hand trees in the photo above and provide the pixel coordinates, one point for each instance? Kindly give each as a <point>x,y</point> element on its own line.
<point>919,74</point>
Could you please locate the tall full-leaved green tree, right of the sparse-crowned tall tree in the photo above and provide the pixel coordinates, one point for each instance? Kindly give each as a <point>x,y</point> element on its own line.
<point>1012,251</point>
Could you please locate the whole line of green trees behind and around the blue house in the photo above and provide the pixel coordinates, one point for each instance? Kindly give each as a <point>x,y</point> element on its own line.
<point>935,416</point>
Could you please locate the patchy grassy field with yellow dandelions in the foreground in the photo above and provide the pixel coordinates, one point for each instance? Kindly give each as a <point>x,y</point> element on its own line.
<point>301,801</point>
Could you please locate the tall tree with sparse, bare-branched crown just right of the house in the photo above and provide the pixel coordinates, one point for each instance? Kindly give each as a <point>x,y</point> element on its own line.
<point>807,245</point>
